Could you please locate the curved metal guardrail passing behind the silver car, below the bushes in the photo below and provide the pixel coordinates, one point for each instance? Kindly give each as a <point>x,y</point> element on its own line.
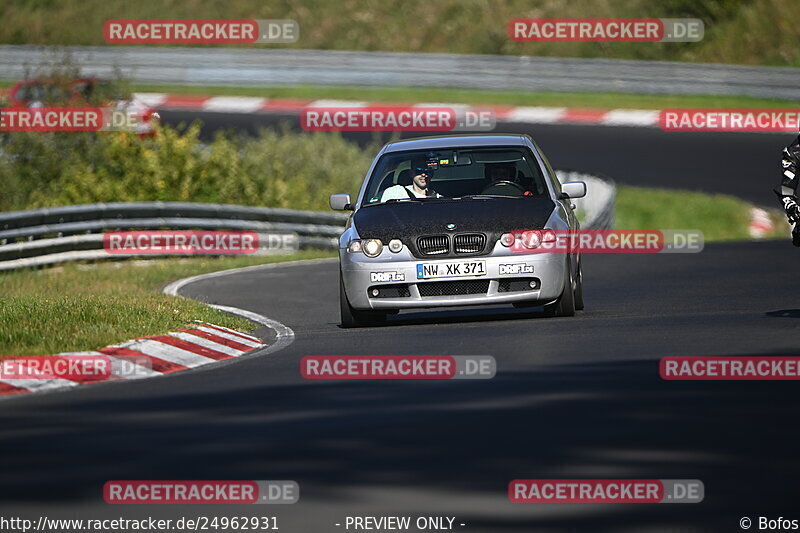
<point>48,236</point>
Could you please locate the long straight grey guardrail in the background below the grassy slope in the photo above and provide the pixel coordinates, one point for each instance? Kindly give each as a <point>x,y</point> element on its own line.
<point>267,67</point>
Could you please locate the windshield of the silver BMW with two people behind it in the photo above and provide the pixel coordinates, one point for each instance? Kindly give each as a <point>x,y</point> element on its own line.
<point>454,173</point>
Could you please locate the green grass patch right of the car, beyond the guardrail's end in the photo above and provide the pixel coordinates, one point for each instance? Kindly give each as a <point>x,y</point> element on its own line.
<point>720,217</point>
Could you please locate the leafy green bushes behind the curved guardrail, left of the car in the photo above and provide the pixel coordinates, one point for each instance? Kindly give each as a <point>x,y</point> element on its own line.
<point>276,169</point>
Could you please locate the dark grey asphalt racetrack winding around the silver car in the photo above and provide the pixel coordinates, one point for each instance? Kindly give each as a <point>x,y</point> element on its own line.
<point>573,397</point>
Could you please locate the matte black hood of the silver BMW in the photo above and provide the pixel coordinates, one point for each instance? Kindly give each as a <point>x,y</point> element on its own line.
<point>492,216</point>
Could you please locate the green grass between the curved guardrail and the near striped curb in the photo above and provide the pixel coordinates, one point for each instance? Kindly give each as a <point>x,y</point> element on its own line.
<point>85,307</point>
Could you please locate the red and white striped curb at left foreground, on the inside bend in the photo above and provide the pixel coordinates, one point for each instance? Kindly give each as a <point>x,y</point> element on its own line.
<point>198,345</point>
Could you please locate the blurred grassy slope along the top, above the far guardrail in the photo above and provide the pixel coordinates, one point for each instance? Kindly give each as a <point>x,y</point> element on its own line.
<point>736,31</point>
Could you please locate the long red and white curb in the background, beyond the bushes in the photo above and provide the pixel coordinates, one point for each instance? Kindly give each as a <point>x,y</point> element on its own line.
<point>523,114</point>
